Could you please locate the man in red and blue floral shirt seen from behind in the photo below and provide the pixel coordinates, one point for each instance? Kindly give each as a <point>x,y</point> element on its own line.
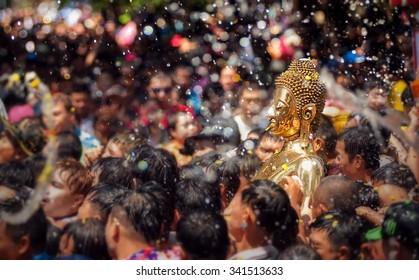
<point>134,226</point>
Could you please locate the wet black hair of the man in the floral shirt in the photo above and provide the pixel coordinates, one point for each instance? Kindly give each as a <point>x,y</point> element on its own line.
<point>141,211</point>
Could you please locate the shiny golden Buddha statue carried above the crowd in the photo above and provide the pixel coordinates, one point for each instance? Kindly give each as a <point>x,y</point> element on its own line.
<point>299,99</point>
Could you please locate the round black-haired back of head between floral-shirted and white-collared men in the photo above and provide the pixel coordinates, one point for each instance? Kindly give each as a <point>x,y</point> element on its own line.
<point>203,235</point>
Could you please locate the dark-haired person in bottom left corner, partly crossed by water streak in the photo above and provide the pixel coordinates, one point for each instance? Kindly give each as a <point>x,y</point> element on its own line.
<point>24,240</point>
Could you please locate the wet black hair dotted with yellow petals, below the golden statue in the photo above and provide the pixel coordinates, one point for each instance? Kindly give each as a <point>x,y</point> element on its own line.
<point>343,229</point>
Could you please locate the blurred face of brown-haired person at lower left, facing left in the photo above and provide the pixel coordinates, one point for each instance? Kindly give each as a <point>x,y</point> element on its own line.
<point>59,202</point>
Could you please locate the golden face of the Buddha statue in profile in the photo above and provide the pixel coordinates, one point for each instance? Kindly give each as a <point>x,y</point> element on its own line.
<point>283,115</point>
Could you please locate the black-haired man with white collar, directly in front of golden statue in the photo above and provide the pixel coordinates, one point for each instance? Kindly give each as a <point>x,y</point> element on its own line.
<point>263,216</point>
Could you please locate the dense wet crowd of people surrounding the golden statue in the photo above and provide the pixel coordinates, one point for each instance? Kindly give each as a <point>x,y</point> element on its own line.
<point>140,137</point>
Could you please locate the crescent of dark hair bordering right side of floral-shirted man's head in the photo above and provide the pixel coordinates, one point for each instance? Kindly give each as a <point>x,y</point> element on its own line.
<point>165,204</point>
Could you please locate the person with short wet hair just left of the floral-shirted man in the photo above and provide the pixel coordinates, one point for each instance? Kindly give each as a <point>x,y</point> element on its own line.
<point>100,200</point>
